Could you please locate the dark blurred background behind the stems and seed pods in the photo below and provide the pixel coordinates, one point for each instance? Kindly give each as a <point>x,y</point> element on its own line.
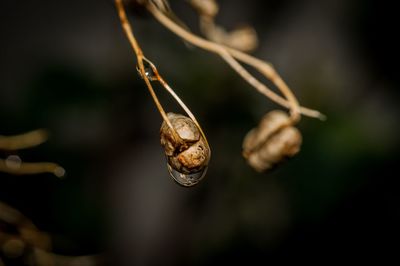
<point>66,66</point>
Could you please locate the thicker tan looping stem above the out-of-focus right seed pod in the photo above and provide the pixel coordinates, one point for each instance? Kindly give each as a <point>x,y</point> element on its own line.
<point>229,55</point>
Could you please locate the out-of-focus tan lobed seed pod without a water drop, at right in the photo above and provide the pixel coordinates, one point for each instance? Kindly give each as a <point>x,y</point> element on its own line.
<point>272,141</point>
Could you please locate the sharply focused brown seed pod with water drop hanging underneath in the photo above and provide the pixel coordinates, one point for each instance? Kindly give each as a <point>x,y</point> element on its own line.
<point>187,152</point>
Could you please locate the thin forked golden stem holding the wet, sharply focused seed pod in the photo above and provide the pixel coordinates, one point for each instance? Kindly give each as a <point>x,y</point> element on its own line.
<point>141,58</point>
